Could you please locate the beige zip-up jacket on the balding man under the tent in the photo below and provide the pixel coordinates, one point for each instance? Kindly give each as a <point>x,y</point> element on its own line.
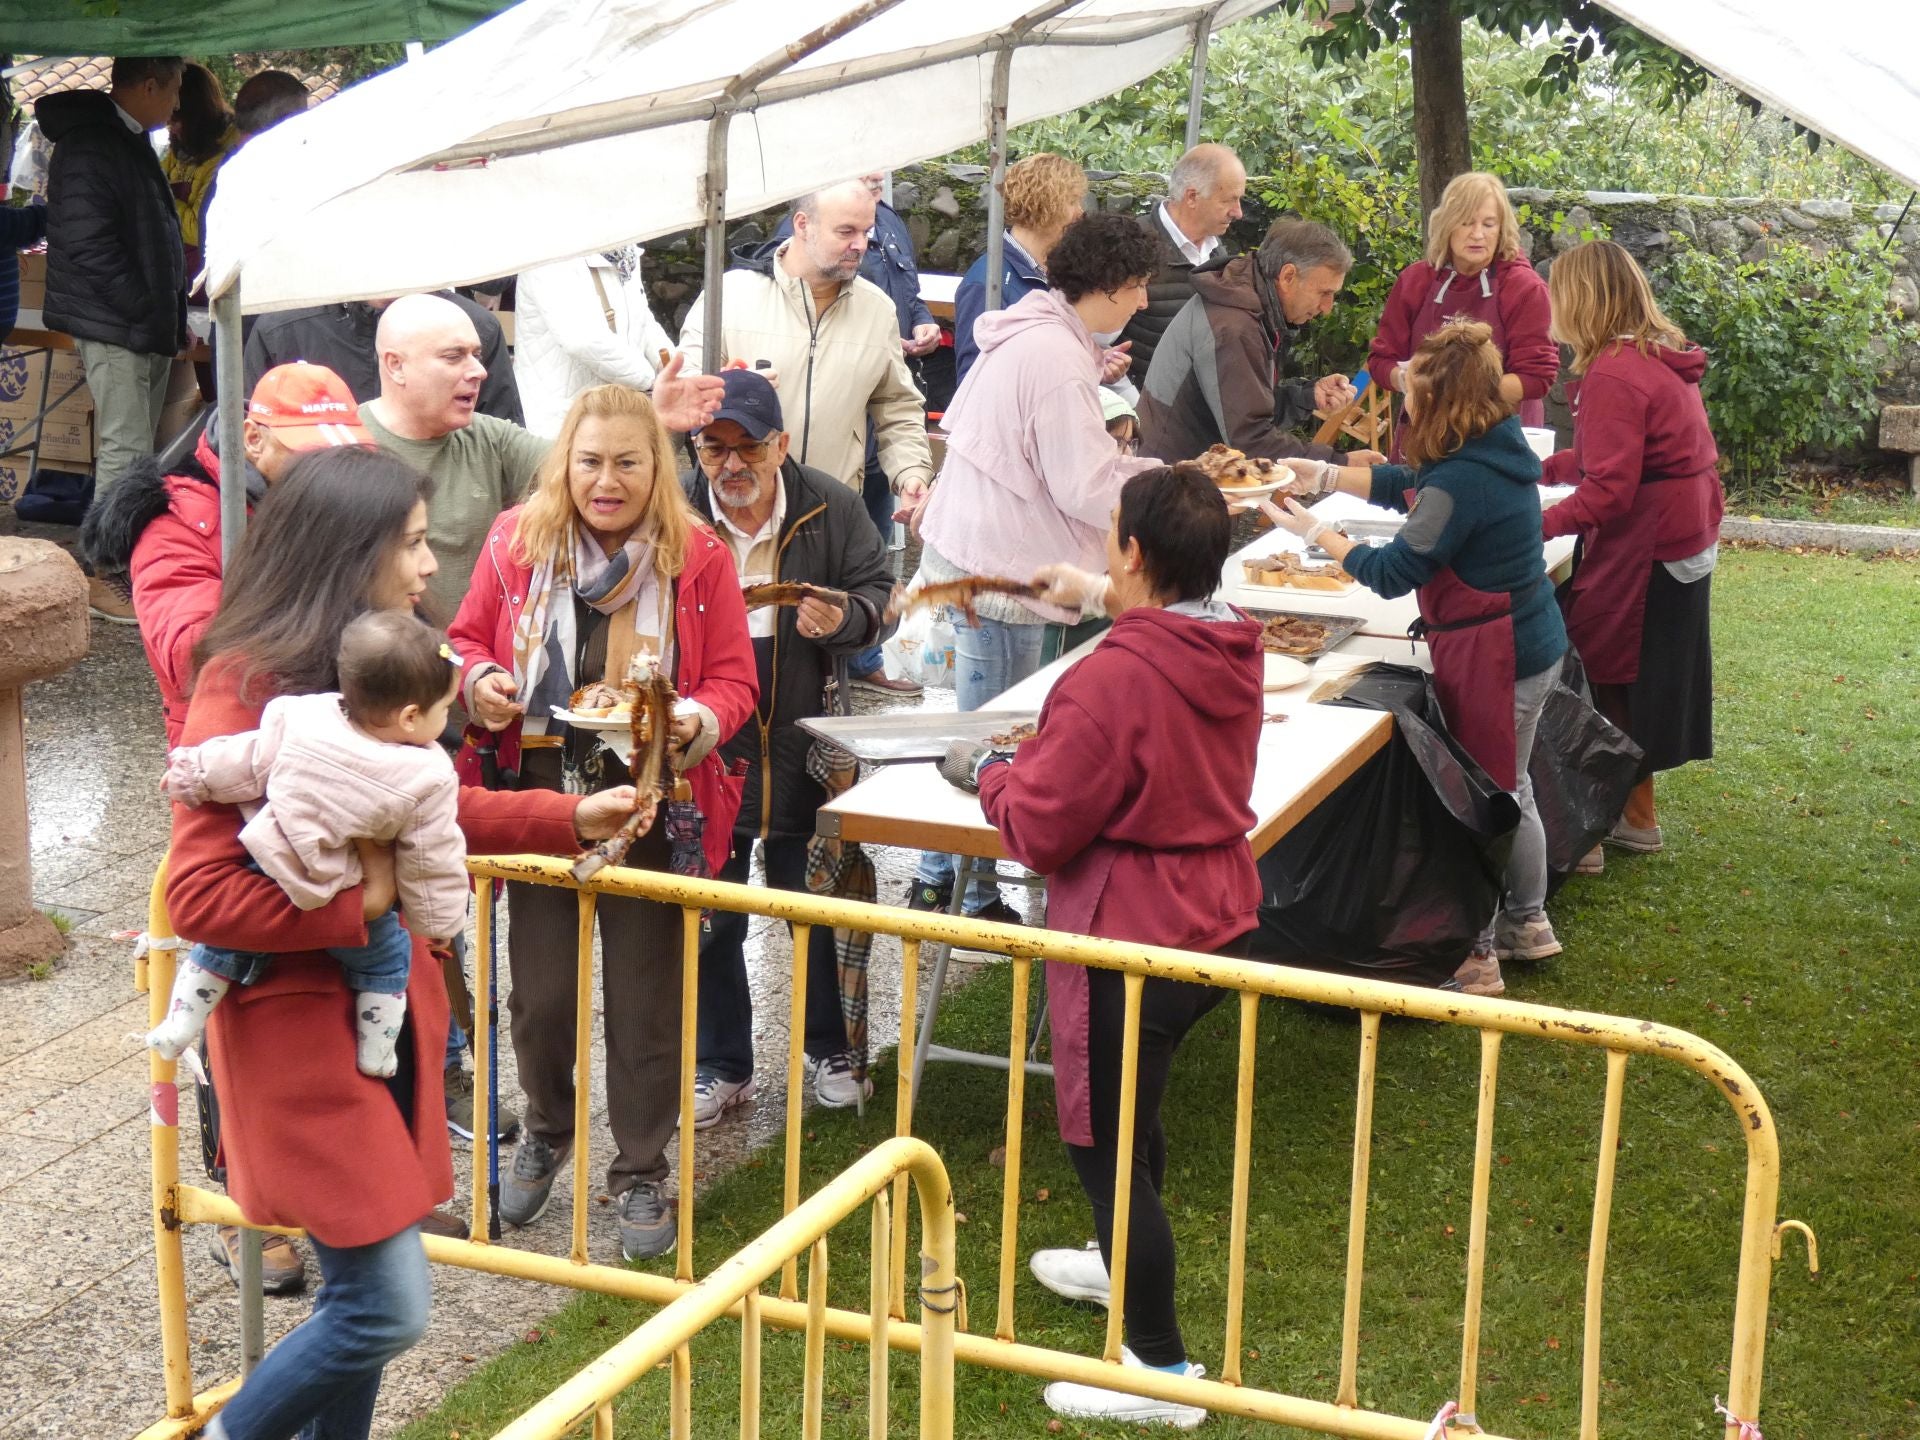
<point>836,372</point>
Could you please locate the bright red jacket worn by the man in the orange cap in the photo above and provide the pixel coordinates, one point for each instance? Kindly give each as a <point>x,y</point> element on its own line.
<point>176,577</point>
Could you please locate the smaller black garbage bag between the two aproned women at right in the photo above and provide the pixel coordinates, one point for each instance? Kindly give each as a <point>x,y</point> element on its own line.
<point>1583,769</point>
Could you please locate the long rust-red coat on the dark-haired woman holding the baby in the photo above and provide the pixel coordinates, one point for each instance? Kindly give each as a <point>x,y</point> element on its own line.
<point>308,1140</point>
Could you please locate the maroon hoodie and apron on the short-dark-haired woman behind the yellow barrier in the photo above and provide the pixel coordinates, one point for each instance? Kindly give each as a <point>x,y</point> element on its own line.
<point>1136,800</point>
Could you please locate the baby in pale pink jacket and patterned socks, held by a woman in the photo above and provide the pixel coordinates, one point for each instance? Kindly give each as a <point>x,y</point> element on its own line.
<point>320,775</point>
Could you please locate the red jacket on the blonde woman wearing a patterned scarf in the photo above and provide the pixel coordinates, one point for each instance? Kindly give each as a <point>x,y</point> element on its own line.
<point>713,660</point>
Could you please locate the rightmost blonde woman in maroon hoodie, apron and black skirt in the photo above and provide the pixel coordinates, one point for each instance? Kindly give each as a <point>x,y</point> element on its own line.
<point>1648,506</point>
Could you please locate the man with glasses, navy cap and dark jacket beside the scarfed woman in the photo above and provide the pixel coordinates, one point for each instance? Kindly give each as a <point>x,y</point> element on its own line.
<point>782,523</point>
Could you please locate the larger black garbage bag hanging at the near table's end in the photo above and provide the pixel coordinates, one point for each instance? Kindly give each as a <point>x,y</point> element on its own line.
<point>1401,869</point>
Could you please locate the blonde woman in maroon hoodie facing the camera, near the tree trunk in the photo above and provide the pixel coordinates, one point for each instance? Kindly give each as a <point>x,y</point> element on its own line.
<point>1474,268</point>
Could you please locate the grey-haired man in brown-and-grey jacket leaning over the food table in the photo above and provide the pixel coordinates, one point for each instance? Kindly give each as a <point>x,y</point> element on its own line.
<point>1220,372</point>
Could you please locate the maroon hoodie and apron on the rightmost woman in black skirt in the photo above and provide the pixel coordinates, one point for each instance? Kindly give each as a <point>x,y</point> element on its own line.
<point>1646,491</point>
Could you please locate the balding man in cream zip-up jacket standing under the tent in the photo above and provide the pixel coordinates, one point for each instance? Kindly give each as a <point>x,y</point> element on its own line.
<point>832,341</point>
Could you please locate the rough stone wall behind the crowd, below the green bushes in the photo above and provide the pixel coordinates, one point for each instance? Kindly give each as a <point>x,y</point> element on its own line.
<point>946,210</point>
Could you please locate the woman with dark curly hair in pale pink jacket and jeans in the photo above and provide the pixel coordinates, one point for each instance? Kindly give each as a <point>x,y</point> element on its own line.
<point>1032,475</point>
